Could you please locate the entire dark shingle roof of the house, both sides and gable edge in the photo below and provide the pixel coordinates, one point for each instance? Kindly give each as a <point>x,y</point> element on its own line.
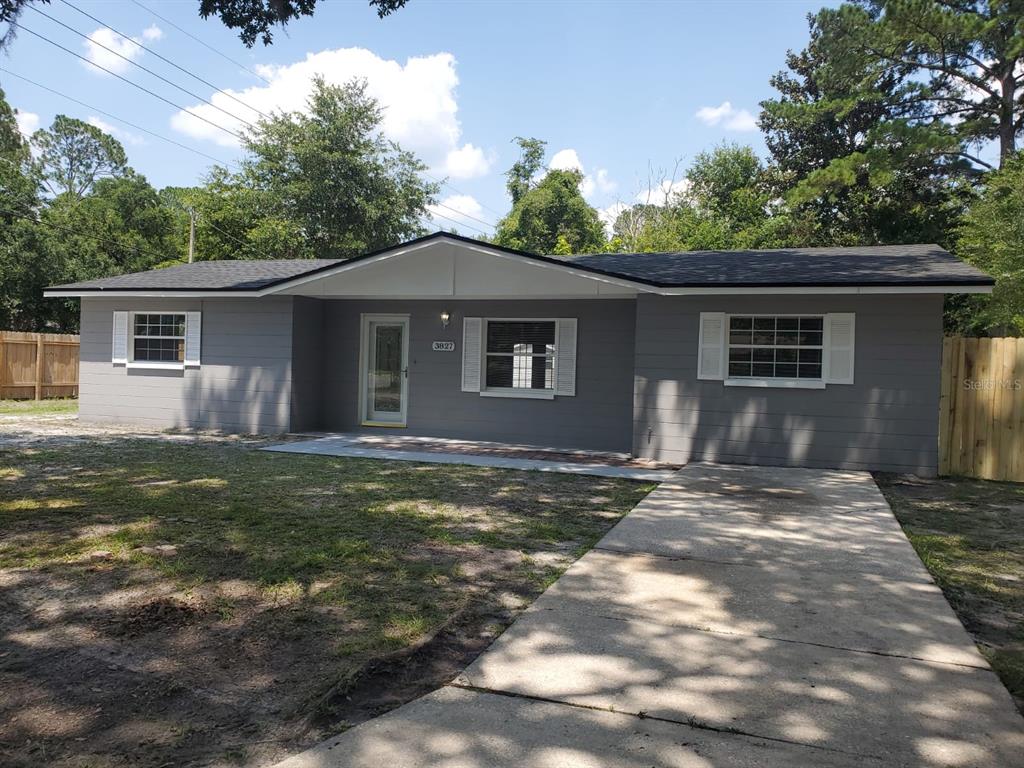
<point>867,266</point>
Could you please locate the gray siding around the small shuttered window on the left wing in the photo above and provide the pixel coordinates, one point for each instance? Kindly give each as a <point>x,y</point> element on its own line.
<point>243,386</point>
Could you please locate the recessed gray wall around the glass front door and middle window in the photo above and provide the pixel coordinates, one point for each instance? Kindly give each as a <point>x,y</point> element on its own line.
<point>600,417</point>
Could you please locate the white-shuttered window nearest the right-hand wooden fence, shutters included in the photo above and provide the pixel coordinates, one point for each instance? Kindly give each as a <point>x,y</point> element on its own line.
<point>807,351</point>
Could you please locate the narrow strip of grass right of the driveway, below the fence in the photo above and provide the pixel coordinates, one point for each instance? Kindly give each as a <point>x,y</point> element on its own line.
<point>970,535</point>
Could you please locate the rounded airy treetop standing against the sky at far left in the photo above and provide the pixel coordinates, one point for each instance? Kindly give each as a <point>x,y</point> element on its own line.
<point>72,156</point>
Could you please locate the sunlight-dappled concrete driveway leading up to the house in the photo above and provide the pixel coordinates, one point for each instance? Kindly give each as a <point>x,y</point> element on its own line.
<point>738,617</point>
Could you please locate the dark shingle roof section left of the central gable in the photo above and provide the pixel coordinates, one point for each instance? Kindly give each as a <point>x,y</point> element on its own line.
<point>206,276</point>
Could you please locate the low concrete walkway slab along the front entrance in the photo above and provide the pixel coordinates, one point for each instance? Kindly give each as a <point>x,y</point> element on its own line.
<point>351,446</point>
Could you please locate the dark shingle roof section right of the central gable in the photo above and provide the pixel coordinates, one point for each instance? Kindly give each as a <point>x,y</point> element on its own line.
<point>867,266</point>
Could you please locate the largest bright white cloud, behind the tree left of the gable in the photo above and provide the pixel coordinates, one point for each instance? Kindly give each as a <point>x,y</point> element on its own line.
<point>418,99</point>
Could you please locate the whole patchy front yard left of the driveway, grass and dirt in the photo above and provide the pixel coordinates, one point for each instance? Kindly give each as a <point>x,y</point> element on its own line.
<point>290,579</point>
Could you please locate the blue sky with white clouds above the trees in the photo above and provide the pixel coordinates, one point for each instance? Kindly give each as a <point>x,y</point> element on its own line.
<point>614,88</point>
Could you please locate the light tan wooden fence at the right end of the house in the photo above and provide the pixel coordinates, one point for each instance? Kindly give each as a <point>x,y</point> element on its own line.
<point>982,409</point>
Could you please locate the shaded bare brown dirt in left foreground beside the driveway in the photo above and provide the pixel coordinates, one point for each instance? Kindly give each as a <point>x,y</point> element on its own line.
<point>103,668</point>
